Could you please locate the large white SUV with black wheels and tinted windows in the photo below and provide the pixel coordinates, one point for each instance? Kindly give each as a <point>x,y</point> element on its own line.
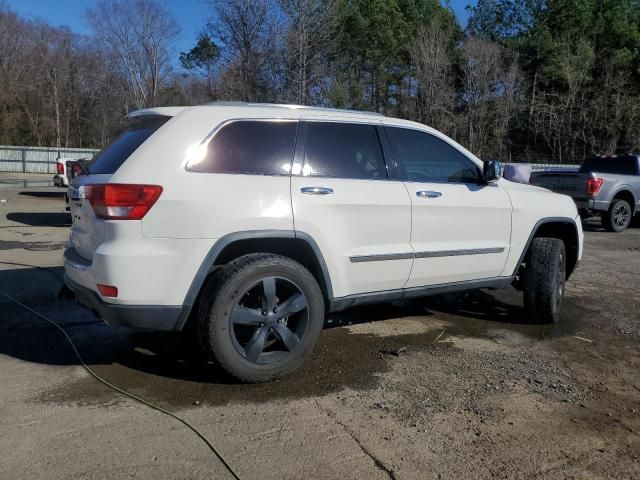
<point>252,221</point>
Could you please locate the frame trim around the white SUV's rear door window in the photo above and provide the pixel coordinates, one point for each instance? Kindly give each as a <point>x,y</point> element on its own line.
<point>383,143</point>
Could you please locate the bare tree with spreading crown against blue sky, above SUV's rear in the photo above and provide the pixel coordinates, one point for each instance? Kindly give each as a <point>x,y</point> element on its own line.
<point>139,35</point>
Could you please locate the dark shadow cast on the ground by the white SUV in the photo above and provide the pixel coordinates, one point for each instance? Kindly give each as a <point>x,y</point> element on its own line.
<point>25,335</point>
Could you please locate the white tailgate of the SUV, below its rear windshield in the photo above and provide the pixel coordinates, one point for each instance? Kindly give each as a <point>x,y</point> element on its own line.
<point>87,231</point>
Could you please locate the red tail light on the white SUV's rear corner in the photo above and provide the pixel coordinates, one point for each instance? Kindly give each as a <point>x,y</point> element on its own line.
<point>117,201</point>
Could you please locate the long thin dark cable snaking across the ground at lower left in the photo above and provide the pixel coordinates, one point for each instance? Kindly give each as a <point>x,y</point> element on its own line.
<point>118,389</point>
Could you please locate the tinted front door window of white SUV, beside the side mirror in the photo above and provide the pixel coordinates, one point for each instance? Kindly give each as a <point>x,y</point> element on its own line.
<point>426,158</point>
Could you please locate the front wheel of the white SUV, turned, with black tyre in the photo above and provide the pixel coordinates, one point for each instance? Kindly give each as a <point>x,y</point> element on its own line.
<point>544,280</point>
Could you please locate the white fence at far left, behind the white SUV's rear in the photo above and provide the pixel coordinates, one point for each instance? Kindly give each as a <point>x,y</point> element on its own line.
<point>37,159</point>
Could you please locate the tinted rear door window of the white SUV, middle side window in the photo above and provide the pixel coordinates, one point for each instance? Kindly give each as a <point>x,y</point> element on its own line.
<point>343,150</point>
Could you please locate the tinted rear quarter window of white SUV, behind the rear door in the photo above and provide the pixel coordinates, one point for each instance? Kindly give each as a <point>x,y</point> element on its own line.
<point>250,146</point>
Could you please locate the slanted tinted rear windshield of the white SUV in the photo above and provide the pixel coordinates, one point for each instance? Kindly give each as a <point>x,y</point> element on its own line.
<point>110,158</point>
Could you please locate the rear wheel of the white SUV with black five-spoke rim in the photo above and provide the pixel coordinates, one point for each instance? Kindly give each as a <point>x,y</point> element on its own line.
<point>262,317</point>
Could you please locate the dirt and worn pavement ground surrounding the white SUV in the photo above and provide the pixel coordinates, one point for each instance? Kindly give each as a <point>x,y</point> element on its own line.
<point>491,397</point>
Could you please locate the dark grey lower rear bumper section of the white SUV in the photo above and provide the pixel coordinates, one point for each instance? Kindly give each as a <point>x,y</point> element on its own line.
<point>140,317</point>
